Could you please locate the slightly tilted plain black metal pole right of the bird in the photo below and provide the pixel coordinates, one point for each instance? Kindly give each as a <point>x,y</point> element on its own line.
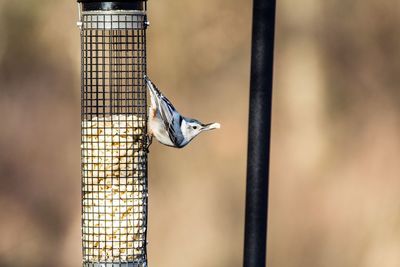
<point>255,241</point>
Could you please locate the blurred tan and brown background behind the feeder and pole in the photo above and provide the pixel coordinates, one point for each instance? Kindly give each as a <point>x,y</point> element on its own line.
<point>335,187</point>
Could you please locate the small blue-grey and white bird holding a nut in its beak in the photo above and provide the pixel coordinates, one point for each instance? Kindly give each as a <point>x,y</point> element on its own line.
<point>167,125</point>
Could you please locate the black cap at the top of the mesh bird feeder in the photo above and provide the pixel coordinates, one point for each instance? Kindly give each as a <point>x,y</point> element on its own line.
<point>92,5</point>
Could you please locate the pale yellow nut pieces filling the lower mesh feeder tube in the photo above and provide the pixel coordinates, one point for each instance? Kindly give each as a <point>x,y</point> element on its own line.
<point>113,170</point>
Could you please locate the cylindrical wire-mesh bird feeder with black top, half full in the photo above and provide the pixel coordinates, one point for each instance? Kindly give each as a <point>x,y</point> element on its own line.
<point>113,133</point>
